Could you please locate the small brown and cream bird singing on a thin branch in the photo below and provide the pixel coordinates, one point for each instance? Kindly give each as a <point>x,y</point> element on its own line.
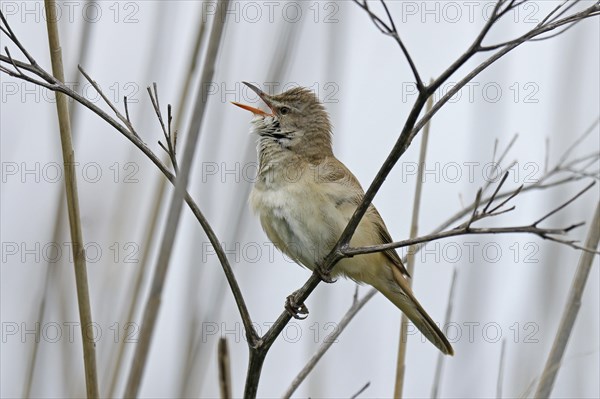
<point>305,197</point>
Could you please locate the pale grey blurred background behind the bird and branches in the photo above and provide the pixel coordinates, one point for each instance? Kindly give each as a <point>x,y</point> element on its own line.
<point>510,288</point>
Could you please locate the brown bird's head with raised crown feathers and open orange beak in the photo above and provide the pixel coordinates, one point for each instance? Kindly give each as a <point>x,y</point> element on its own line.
<point>297,122</point>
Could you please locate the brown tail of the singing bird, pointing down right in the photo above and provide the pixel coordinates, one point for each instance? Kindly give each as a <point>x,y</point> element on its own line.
<point>401,295</point>
